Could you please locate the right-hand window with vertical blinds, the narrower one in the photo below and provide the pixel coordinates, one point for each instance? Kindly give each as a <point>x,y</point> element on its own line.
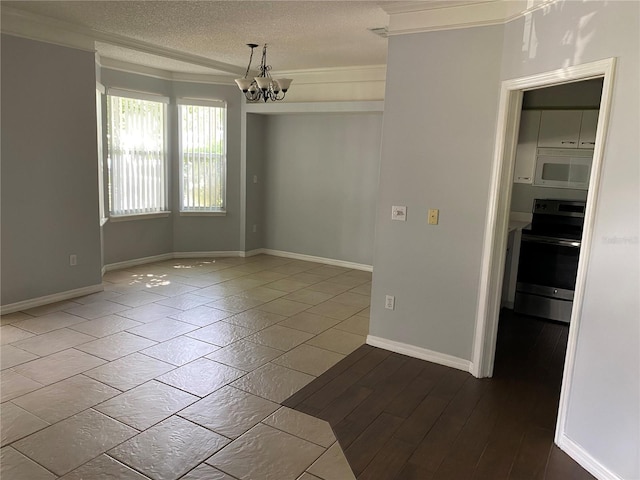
<point>203,155</point>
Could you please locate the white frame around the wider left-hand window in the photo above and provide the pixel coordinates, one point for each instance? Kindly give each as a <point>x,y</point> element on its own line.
<point>141,213</point>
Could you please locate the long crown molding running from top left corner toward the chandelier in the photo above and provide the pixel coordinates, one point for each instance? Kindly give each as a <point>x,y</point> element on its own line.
<point>37,27</point>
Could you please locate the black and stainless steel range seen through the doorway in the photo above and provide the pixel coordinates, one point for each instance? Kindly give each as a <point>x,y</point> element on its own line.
<point>548,263</point>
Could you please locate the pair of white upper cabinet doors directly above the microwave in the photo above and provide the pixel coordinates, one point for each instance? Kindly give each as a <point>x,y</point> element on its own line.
<point>568,129</point>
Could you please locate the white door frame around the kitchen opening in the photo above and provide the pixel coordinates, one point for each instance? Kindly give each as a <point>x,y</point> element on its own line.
<point>497,218</point>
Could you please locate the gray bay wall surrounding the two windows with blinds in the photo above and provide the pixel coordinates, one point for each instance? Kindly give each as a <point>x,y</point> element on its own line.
<point>128,240</point>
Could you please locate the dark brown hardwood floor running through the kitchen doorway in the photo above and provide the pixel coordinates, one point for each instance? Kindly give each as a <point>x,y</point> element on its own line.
<point>401,418</point>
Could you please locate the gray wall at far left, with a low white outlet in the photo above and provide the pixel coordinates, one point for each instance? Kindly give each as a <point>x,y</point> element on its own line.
<point>49,170</point>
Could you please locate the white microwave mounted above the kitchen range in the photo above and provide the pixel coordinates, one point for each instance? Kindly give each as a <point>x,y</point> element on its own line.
<point>563,168</point>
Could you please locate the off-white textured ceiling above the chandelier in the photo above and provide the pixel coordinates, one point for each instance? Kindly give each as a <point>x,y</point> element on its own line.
<point>301,34</point>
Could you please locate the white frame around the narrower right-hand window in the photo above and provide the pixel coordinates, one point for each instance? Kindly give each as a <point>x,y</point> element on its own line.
<point>205,211</point>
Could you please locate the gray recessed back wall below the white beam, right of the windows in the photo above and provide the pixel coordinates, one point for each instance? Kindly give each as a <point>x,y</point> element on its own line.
<point>321,177</point>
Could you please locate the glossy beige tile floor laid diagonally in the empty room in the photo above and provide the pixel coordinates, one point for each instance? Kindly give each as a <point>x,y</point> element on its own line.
<point>177,370</point>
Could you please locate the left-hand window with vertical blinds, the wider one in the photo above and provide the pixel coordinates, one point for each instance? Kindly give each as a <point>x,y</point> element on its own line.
<point>137,155</point>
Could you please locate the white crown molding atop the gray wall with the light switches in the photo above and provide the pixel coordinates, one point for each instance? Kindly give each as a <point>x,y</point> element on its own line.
<point>416,17</point>
